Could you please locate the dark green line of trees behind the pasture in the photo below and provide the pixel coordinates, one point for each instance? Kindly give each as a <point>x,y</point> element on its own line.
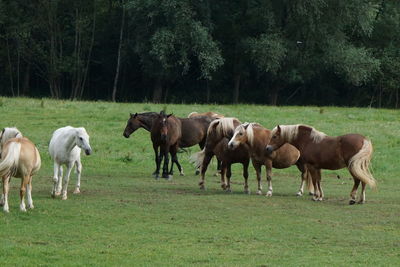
<point>278,52</point>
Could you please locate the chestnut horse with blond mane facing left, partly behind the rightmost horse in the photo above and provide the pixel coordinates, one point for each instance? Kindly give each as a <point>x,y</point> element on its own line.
<point>257,137</point>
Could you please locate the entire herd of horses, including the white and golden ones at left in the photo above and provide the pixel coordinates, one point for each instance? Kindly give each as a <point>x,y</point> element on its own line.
<point>228,139</point>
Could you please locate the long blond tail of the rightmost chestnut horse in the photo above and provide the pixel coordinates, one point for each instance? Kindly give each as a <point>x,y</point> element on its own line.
<point>359,164</point>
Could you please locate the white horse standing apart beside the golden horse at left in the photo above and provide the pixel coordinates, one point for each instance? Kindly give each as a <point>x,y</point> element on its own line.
<point>65,149</point>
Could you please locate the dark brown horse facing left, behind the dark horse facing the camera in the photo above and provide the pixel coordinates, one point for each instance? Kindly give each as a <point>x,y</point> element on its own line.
<point>193,130</point>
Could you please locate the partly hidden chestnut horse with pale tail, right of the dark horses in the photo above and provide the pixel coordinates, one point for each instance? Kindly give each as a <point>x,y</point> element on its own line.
<point>218,129</point>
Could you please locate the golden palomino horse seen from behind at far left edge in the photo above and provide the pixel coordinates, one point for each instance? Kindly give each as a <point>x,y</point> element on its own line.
<point>21,159</point>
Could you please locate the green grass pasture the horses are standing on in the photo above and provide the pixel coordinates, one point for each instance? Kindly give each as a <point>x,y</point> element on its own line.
<point>125,217</point>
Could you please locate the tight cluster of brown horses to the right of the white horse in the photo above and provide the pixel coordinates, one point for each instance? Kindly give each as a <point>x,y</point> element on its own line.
<point>234,142</point>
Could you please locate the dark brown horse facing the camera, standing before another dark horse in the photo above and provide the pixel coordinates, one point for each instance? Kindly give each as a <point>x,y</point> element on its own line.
<point>165,134</point>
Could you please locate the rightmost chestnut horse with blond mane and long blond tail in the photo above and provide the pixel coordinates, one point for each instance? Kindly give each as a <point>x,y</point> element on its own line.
<point>319,151</point>
